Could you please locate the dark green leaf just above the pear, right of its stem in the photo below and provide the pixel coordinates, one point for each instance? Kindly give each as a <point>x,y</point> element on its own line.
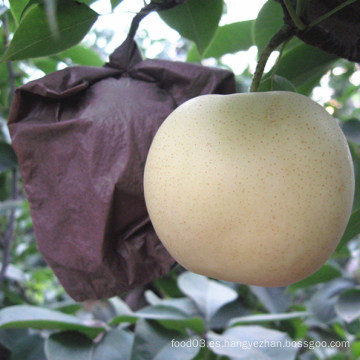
<point>304,65</point>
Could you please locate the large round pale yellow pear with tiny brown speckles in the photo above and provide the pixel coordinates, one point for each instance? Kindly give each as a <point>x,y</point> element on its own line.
<point>253,188</point>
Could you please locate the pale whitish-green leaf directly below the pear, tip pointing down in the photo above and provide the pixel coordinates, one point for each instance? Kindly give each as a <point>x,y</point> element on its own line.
<point>209,295</point>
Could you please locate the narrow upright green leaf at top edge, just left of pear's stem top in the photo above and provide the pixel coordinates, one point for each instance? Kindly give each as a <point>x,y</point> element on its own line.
<point>267,24</point>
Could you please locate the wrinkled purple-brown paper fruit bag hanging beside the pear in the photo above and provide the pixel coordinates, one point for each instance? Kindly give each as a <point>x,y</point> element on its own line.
<point>81,136</point>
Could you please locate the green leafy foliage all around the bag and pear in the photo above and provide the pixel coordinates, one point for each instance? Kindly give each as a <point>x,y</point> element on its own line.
<point>182,315</point>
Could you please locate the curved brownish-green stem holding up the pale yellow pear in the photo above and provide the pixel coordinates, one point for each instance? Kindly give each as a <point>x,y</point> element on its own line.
<point>284,34</point>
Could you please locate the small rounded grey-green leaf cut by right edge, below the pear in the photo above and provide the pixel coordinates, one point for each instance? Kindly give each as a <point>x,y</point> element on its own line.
<point>348,305</point>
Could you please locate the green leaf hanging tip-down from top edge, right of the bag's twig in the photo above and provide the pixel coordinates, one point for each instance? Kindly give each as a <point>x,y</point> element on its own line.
<point>196,20</point>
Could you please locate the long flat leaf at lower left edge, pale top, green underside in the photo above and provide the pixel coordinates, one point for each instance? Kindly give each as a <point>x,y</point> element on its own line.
<point>22,316</point>
